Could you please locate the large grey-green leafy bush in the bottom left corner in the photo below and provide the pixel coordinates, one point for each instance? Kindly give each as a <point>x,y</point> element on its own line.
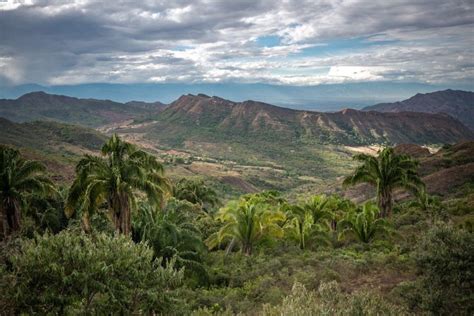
<point>72,273</point>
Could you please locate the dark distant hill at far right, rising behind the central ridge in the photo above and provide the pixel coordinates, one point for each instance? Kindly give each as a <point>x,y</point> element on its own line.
<point>458,104</point>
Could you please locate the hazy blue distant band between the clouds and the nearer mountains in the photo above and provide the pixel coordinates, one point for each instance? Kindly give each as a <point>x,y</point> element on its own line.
<point>330,97</point>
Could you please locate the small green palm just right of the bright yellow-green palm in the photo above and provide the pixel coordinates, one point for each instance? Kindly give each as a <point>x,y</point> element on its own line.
<point>307,220</point>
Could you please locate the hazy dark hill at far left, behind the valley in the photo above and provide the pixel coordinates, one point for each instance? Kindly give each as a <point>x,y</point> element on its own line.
<point>88,112</point>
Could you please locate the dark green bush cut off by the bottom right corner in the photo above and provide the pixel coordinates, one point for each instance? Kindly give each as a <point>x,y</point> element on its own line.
<point>445,261</point>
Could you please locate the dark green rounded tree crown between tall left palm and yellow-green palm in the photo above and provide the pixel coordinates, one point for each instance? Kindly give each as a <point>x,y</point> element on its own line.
<point>196,192</point>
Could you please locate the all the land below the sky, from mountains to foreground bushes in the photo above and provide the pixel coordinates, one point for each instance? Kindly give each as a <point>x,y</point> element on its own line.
<point>208,206</point>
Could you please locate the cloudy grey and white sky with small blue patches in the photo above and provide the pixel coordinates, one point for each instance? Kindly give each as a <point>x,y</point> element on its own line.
<point>207,41</point>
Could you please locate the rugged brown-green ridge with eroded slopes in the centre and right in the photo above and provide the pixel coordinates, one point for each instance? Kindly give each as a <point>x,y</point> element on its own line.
<point>204,118</point>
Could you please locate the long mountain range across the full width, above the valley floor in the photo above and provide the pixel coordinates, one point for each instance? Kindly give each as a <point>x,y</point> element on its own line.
<point>204,118</point>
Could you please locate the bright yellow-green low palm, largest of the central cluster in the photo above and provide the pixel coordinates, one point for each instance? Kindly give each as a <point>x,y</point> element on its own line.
<point>246,222</point>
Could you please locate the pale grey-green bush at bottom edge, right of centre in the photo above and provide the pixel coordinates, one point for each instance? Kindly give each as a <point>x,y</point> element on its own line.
<point>330,300</point>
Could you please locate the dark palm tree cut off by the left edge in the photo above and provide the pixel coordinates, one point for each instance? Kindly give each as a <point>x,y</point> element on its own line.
<point>18,179</point>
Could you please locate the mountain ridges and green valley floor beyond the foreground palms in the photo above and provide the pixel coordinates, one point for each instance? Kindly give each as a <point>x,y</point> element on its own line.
<point>240,145</point>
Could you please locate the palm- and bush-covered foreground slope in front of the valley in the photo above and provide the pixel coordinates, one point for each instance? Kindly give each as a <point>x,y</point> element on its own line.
<point>125,238</point>
